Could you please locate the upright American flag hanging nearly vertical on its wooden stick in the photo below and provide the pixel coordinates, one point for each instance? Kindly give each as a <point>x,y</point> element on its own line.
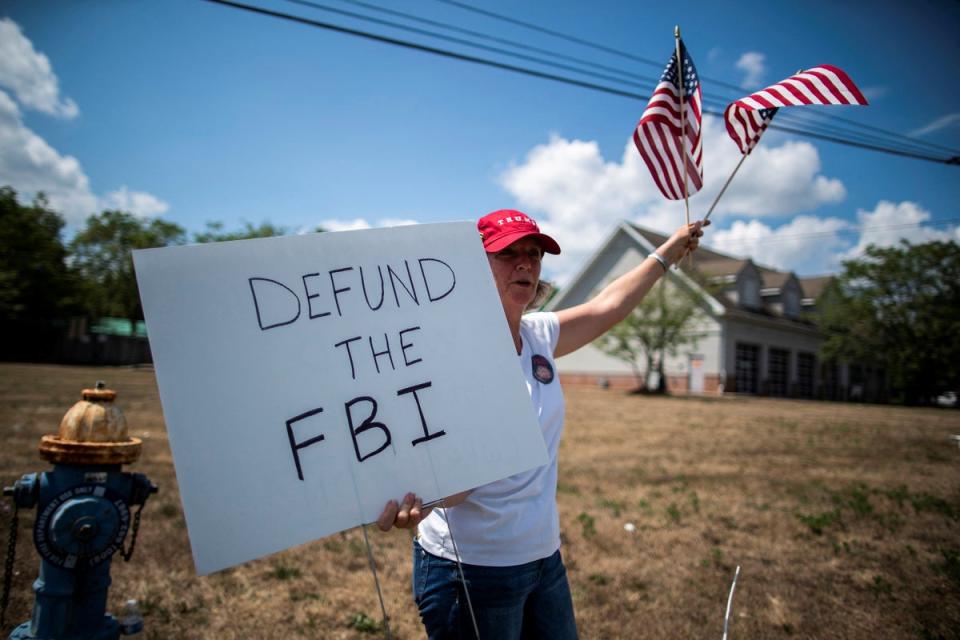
<point>658,134</point>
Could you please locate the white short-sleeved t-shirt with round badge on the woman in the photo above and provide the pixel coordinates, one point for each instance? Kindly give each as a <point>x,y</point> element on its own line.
<point>515,520</point>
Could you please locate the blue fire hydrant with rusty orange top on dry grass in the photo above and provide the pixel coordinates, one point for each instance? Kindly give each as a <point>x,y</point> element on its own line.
<point>83,516</point>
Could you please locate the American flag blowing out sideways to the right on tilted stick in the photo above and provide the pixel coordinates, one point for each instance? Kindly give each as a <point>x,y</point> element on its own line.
<point>748,117</point>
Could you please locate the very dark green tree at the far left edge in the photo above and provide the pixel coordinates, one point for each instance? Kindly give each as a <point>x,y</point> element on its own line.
<point>35,282</point>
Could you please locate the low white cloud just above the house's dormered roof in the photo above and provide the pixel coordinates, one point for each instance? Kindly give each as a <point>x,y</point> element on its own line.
<point>806,244</point>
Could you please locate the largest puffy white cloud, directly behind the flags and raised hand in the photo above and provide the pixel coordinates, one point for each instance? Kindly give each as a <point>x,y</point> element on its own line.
<point>578,197</point>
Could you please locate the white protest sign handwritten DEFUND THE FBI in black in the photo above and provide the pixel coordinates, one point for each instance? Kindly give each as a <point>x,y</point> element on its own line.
<point>306,380</point>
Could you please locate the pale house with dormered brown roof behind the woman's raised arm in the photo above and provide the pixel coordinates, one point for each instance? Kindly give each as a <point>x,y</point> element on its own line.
<point>756,332</point>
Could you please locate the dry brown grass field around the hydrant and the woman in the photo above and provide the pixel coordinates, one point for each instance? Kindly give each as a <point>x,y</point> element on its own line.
<point>845,520</point>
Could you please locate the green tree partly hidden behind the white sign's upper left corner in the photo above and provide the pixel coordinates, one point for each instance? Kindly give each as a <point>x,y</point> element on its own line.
<point>101,254</point>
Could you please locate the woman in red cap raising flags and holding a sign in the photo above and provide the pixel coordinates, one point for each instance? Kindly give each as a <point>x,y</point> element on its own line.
<point>507,533</point>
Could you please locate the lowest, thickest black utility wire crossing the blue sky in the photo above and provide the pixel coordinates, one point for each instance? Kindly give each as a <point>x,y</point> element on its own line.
<point>557,78</point>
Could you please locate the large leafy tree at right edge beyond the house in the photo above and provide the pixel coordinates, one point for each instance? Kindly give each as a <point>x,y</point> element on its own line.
<point>898,309</point>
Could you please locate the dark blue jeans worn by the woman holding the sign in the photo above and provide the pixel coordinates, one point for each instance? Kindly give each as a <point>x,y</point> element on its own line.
<point>525,601</point>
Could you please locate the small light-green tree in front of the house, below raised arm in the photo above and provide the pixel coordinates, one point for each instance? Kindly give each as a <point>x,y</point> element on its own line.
<point>658,327</point>
